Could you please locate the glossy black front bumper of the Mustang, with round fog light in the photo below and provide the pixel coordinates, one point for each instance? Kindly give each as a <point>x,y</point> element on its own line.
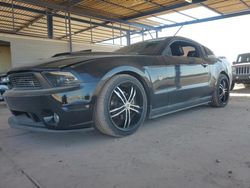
<point>72,106</point>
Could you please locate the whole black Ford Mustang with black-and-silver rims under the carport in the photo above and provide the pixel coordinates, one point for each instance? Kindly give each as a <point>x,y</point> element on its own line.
<point>115,92</point>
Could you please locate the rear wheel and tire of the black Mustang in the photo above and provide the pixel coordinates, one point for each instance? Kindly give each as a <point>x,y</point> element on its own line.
<point>221,94</point>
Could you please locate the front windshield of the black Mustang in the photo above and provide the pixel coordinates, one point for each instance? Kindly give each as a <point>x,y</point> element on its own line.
<point>151,47</point>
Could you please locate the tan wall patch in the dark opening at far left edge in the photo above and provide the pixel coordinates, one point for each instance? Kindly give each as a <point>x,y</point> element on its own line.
<point>5,59</point>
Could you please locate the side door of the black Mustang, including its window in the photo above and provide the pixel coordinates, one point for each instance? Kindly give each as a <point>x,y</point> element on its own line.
<point>190,80</point>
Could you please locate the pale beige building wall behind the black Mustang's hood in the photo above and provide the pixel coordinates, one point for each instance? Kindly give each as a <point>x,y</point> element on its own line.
<point>28,50</point>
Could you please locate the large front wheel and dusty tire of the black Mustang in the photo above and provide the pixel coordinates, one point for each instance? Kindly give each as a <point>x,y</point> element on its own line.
<point>121,106</point>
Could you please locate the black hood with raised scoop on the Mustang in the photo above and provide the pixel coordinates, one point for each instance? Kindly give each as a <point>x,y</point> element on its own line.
<point>57,63</point>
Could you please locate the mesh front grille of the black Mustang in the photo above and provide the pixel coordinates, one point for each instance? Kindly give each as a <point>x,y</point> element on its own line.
<point>24,81</point>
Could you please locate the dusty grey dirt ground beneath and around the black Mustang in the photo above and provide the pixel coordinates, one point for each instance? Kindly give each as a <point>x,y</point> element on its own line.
<point>202,147</point>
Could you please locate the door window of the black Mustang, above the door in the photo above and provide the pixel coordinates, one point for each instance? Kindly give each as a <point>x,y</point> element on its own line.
<point>184,49</point>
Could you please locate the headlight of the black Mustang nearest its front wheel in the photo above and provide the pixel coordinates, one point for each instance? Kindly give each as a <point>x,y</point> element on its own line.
<point>61,79</point>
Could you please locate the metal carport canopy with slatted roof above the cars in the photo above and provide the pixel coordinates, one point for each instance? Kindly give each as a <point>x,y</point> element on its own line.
<point>96,21</point>
